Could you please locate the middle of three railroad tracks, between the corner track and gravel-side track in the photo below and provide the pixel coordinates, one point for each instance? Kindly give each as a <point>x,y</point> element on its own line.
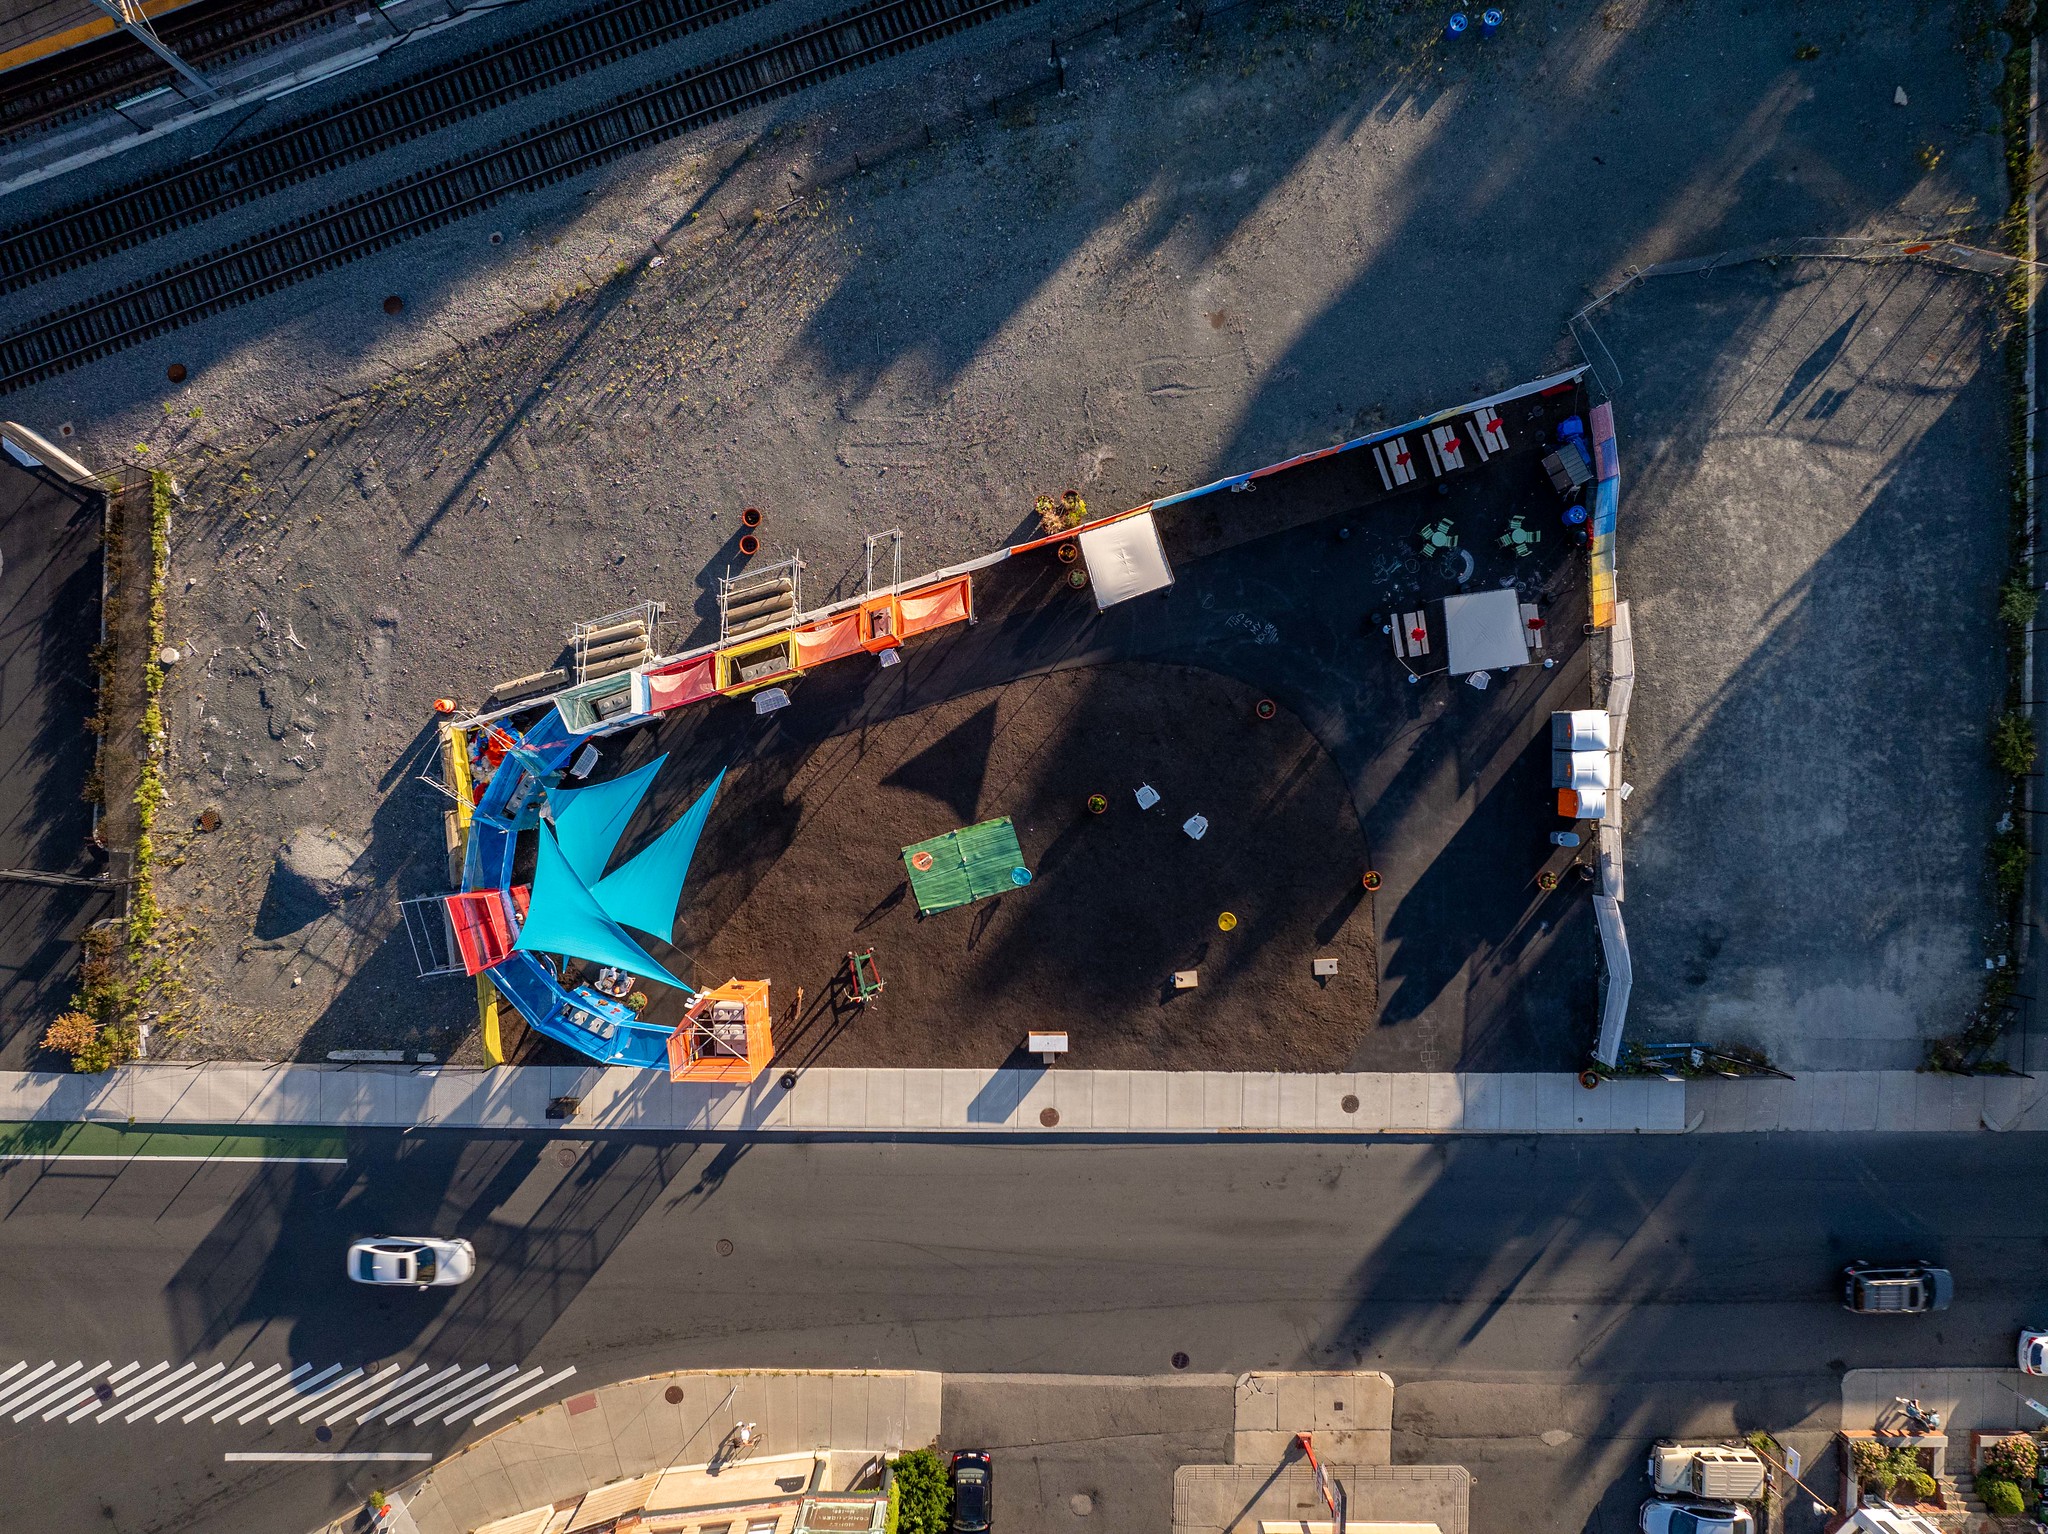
<point>351,130</point>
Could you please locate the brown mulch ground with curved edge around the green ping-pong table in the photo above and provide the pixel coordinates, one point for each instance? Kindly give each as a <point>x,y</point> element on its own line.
<point>804,861</point>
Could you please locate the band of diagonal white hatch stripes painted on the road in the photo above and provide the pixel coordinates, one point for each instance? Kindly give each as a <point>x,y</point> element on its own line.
<point>165,1394</point>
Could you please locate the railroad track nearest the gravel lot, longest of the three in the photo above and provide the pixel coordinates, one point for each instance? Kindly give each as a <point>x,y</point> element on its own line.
<point>472,183</point>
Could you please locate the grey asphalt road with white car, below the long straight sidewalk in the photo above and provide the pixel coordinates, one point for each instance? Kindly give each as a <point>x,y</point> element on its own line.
<point>1617,1287</point>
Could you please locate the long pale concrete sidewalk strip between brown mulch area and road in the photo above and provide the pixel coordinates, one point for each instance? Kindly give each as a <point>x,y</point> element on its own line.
<point>880,1101</point>
